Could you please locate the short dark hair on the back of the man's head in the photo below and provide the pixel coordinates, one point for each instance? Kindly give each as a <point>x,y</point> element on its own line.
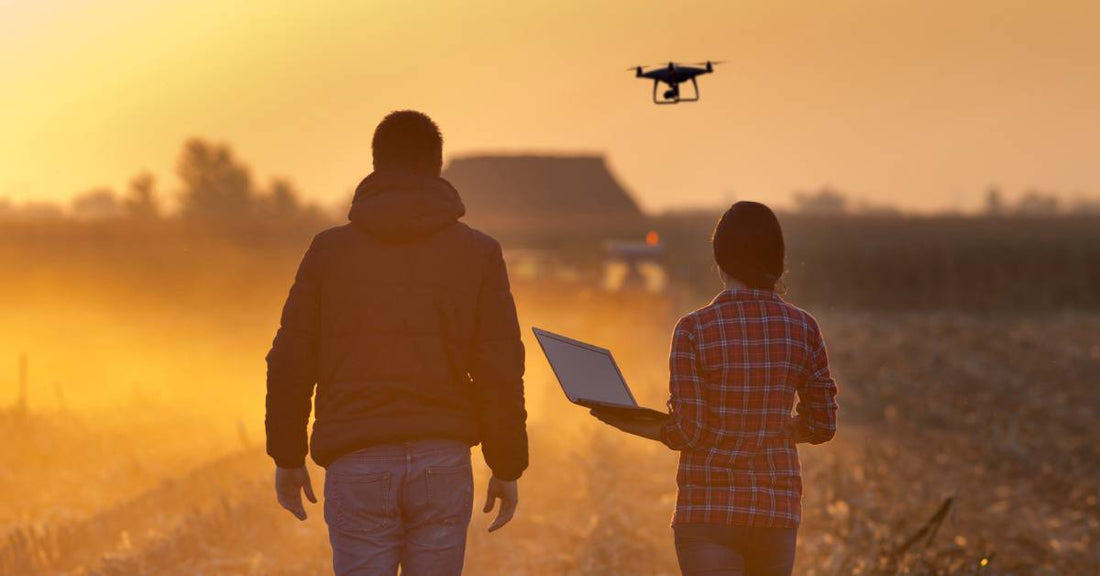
<point>409,140</point>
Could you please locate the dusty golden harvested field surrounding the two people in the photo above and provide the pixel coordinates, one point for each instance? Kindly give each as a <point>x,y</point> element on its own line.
<point>140,449</point>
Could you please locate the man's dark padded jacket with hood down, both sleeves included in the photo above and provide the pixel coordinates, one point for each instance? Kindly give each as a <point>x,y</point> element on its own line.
<point>405,323</point>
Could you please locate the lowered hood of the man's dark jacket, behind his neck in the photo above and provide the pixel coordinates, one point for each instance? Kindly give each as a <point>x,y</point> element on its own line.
<point>404,206</point>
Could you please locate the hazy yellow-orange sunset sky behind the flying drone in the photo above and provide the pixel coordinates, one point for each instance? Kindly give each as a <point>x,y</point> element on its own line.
<point>917,104</point>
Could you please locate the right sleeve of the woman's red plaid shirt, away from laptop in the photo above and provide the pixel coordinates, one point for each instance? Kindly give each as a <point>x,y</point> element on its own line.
<point>816,414</point>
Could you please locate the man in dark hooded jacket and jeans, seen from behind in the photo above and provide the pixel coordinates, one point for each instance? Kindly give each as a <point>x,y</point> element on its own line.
<point>405,323</point>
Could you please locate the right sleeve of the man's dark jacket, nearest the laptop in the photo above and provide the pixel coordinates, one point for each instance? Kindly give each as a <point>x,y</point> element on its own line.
<point>497,370</point>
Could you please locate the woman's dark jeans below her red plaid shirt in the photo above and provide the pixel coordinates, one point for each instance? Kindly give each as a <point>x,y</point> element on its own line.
<point>716,550</point>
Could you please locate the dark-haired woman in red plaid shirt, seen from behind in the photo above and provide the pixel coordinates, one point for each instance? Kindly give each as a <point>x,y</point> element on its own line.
<point>736,369</point>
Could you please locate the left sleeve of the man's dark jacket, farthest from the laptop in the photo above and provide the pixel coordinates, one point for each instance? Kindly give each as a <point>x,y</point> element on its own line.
<point>292,367</point>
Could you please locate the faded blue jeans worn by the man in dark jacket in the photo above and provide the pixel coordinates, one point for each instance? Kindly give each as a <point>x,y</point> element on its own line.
<point>400,505</point>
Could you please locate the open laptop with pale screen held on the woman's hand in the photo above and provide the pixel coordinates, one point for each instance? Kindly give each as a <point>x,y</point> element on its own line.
<point>589,376</point>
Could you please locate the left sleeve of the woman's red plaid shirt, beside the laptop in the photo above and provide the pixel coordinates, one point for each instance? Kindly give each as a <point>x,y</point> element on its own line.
<point>687,400</point>
